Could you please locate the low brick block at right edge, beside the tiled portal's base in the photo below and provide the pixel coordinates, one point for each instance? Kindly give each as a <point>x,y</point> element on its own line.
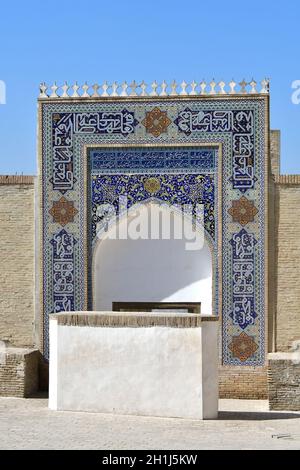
<point>284,384</point>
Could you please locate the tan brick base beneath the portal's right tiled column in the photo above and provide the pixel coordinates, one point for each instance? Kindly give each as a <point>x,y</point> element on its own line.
<point>243,382</point>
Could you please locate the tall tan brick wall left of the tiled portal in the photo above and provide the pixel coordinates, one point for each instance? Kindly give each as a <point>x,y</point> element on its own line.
<point>17,260</point>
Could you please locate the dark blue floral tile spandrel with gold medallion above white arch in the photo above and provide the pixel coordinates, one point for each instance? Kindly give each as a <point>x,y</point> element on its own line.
<point>172,189</point>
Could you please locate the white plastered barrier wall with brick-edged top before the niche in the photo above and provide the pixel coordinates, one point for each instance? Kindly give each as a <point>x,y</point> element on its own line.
<point>134,364</point>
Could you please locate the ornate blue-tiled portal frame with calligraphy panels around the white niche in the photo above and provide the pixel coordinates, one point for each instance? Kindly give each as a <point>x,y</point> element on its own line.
<point>208,149</point>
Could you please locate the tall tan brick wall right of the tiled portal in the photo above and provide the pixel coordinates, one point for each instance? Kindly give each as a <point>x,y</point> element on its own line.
<point>288,261</point>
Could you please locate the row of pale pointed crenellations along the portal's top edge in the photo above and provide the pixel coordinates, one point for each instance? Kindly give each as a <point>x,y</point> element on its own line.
<point>134,89</point>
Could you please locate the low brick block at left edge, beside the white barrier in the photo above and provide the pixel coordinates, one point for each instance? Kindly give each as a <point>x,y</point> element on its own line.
<point>18,372</point>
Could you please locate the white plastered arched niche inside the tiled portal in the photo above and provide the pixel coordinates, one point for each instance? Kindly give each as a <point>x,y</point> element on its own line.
<point>151,270</point>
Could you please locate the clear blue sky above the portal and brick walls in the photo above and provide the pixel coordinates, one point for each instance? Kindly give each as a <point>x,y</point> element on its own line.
<point>126,40</point>
